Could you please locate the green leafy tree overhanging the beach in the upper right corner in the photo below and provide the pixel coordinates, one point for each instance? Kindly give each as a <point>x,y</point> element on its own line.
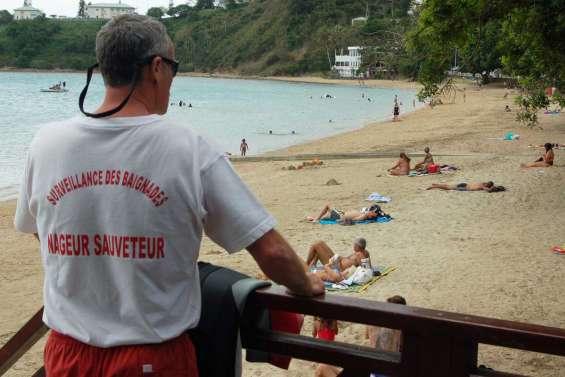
<point>525,38</point>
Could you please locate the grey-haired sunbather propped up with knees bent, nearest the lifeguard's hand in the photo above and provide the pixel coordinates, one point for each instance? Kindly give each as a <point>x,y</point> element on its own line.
<point>320,251</point>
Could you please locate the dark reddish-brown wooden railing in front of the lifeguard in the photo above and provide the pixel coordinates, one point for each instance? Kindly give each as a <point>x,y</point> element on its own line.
<point>435,343</point>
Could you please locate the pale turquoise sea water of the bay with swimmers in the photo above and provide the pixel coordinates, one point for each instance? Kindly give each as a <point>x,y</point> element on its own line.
<point>223,110</point>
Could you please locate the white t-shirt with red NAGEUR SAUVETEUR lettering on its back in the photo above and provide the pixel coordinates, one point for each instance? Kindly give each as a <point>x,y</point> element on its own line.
<point>120,206</point>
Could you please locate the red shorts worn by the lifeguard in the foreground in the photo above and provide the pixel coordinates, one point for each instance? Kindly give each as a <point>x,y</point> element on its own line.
<point>67,357</point>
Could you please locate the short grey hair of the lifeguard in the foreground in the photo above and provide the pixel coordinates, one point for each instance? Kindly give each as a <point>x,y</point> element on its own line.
<point>124,42</point>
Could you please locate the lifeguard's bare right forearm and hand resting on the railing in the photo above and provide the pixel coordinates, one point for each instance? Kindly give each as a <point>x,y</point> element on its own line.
<point>280,263</point>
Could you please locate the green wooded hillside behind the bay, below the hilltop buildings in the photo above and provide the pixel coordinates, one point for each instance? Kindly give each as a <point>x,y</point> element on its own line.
<point>268,37</point>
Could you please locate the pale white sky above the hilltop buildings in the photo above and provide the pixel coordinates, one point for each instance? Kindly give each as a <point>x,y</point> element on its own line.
<point>69,8</point>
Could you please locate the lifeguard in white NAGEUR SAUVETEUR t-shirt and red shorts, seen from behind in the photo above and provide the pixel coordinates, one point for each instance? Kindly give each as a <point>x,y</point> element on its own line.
<point>119,199</point>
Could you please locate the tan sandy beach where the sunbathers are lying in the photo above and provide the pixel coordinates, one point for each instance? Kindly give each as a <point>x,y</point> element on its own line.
<point>470,252</point>
